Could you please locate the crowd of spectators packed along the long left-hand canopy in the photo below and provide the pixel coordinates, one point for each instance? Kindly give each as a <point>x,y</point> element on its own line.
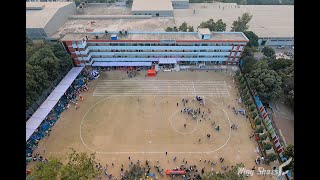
<point>71,96</point>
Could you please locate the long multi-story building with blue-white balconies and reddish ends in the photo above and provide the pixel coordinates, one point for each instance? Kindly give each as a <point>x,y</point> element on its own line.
<point>129,48</point>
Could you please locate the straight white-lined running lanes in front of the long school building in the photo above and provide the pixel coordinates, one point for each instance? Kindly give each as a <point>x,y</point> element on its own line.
<point>160,87</point>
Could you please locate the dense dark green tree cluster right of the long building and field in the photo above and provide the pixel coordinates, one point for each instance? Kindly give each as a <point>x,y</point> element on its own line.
<point>270,78</point>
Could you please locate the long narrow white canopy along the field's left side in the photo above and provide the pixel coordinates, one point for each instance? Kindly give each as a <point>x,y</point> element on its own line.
<point>36,119</point>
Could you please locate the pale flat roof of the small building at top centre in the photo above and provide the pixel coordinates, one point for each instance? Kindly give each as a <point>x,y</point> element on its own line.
<point>152,5</point>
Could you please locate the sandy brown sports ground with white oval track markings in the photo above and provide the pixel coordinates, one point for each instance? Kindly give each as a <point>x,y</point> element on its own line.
<point>139,117</point>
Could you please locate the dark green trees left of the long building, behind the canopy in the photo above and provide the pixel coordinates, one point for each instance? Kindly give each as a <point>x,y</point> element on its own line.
<point>44,62</point>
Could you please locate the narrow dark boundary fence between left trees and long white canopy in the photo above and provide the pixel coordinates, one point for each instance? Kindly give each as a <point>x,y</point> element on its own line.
<point>45,94</point>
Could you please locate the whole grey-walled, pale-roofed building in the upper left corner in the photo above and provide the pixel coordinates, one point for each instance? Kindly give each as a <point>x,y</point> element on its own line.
<point>43,19</point>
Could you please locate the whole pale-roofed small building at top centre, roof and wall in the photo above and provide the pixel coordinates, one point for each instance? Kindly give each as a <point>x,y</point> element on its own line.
<point>161,8</point>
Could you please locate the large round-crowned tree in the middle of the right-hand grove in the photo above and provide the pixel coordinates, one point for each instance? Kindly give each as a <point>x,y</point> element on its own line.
<point>265,81</point>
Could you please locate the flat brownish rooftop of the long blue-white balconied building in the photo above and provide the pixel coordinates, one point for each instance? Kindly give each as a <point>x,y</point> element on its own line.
<point>234,36</point>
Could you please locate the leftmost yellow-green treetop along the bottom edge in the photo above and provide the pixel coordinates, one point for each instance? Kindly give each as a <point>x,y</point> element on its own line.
<point>48,171</point>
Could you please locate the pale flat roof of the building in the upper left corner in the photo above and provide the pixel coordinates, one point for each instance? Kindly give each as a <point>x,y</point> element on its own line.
<point>37,17</point>
